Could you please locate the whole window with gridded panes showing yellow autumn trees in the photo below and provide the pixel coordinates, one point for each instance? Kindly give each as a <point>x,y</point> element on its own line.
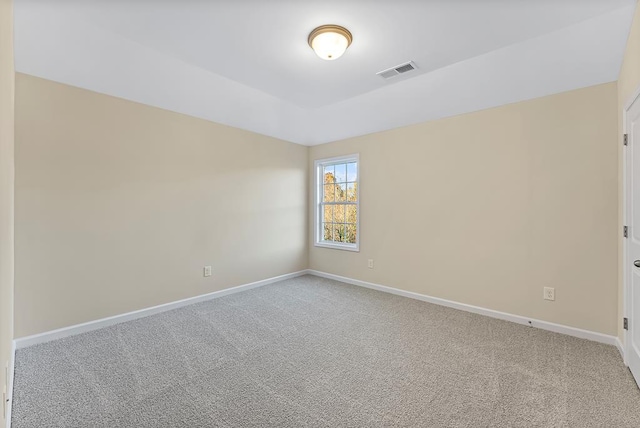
<point>337,209</point>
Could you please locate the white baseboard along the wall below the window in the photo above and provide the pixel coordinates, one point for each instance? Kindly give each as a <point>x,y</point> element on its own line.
<point>544,325</point>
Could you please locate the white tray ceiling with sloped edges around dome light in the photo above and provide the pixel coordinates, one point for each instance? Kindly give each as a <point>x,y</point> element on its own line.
<point>247,63</point>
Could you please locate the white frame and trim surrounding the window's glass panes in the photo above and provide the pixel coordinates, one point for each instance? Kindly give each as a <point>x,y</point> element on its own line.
<point>318,165</point>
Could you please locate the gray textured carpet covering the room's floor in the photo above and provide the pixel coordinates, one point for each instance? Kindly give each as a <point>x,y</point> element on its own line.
<point>315,352</point>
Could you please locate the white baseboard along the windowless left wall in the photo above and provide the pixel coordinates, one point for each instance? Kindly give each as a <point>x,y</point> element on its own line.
<point>35,339</point>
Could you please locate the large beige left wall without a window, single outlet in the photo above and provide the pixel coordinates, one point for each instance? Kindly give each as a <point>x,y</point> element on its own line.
<point>120,205</point>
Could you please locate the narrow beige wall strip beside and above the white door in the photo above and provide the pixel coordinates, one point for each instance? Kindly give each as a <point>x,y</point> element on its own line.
<point>628,84</point>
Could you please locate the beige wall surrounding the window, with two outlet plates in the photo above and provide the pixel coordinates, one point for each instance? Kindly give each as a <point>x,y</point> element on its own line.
<point>490,207</point>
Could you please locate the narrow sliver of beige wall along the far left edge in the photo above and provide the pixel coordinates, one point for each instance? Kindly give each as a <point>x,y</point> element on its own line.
<point>6,188</point>
